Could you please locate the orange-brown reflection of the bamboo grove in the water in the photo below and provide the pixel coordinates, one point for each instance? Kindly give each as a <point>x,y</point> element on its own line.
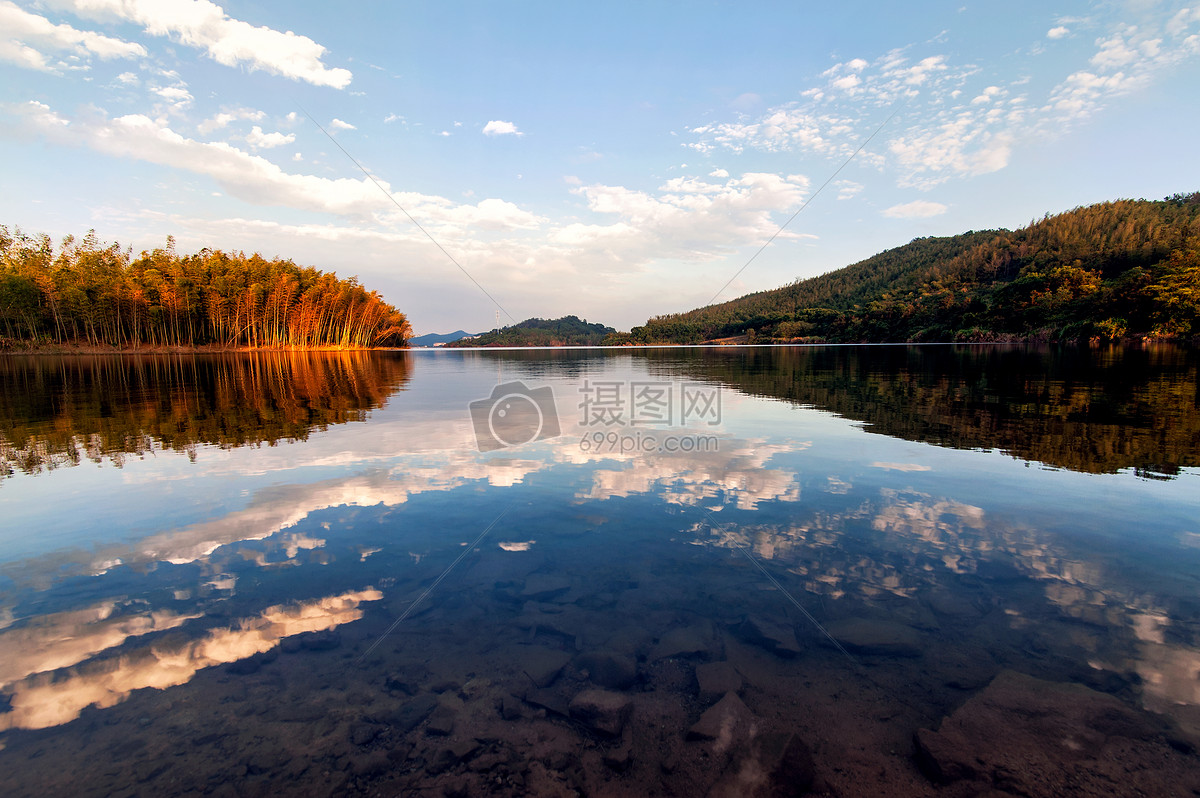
<point>61,411</point>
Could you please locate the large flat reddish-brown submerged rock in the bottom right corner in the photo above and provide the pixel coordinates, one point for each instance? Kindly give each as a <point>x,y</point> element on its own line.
<point>1045,739</point>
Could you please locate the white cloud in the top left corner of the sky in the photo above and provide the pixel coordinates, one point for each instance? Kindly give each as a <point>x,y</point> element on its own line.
<point>25,32</point>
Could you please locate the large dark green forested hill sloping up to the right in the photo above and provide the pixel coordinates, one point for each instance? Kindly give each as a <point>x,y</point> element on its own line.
<point>1107,271</point>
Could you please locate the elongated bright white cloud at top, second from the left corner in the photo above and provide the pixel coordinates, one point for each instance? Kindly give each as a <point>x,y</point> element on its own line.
<point>227,41</point>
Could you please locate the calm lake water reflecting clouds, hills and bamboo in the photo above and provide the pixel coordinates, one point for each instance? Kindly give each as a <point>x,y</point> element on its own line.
<point>854,571</point>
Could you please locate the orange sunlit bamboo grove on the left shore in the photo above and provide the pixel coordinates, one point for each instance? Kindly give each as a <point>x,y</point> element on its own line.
<point>98,295</point>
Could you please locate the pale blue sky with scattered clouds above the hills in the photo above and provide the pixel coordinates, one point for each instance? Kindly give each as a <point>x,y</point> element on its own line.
<point>613,161</point>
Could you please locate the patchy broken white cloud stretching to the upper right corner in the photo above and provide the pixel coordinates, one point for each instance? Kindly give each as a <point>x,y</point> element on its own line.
<point>949,125</point>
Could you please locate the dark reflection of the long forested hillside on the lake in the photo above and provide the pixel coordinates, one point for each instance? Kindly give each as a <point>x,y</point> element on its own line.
<point>1087,410</point>
